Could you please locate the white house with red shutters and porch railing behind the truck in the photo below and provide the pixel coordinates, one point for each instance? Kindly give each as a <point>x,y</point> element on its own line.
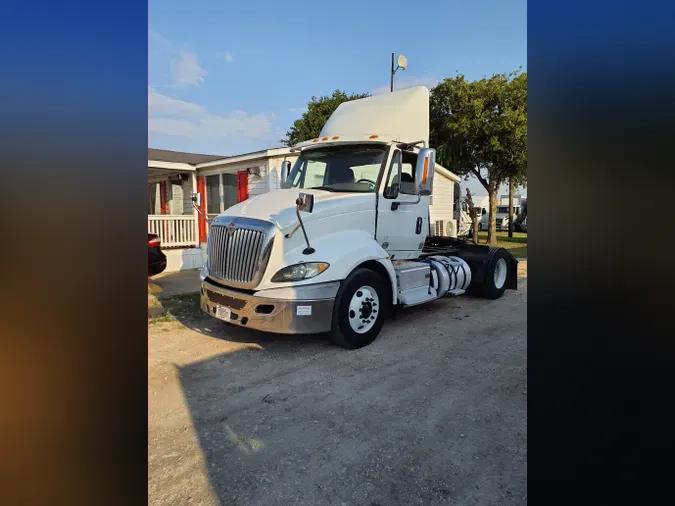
<point>223,181</point>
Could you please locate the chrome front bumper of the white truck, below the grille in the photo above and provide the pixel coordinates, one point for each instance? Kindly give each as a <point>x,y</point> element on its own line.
<point>282,316</point>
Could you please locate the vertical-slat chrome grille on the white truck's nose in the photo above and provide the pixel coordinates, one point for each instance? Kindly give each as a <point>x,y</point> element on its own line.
<point>236,254</point>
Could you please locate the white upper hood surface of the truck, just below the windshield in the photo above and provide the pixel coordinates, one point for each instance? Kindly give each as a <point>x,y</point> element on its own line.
<point>278,206</point>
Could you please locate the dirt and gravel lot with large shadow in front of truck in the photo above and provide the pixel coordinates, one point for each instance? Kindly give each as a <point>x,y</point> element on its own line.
<point>433,412</point>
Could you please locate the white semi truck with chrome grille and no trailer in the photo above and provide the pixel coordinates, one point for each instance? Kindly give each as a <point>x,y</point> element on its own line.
<point>347,238</point>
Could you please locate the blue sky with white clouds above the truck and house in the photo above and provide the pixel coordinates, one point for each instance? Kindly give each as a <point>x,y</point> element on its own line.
<point>228,78</point>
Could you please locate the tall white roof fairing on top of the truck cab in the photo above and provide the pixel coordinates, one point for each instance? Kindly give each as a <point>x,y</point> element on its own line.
<point>401,115</point>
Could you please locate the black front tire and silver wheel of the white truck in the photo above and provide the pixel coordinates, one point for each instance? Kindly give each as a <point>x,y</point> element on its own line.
<point>360,309</point>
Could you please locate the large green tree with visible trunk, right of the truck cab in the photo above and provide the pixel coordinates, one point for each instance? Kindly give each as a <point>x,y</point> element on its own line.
<point>479,128</point>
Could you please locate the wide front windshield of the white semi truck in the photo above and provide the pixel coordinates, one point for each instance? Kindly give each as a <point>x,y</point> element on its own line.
<point>350,168</point>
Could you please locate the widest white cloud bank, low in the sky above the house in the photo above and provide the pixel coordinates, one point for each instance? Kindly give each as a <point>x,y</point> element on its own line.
<point>193,120</point>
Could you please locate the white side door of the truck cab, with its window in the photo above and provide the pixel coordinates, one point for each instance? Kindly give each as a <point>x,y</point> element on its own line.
<point>402,216</point>
